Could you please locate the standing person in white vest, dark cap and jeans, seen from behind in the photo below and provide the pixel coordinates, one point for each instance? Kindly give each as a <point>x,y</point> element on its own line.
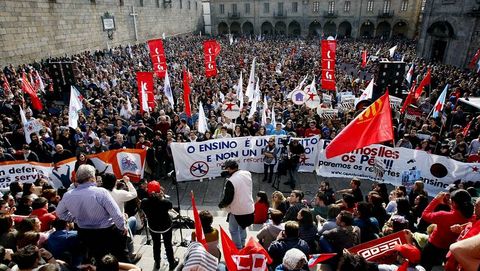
<point>237,199</point>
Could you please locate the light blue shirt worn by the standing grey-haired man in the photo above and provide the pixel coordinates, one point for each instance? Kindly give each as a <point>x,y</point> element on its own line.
<point>91,207</point>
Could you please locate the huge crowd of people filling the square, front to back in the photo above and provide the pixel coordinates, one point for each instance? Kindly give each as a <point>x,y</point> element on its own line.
<point>36,219</point>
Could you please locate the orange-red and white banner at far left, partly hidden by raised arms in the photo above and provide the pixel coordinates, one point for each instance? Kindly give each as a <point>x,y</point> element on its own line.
<point>120,162</point>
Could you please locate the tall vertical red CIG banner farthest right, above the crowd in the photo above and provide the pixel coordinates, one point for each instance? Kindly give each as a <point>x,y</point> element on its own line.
<point>328,64</point>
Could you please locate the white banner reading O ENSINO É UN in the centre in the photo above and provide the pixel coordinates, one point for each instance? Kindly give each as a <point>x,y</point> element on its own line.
<point>198,160</point>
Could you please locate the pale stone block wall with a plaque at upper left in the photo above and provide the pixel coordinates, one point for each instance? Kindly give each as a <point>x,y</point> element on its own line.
<point>35,29</point>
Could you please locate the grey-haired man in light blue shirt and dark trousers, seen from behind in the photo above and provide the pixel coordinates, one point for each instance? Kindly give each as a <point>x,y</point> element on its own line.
<point>100,221</point>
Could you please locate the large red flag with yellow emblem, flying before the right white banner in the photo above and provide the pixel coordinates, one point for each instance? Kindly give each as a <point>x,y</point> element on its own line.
<point>373,125</point>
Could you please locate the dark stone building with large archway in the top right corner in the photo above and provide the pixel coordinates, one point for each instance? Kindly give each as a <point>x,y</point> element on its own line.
<point>450,31</point>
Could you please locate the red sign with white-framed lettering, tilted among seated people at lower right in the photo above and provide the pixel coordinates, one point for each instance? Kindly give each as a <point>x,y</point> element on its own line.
<point>381,250</point>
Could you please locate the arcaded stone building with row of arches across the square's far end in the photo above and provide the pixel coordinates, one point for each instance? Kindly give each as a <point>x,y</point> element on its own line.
<point>350,18</point>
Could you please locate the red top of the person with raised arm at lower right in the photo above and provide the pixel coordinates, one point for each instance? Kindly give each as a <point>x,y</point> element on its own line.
<point>442,236</point>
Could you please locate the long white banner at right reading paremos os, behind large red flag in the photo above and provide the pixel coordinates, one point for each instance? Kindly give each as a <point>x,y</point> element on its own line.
<point>400,166</point>
